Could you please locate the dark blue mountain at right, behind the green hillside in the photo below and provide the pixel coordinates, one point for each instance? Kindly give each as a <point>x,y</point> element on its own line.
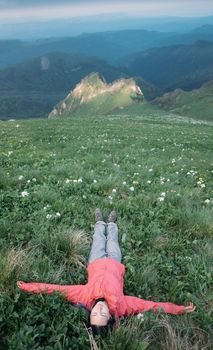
<point>179,66</point>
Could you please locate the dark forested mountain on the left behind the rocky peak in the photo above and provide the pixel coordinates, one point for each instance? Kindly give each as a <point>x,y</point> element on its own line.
<point>32,88</point>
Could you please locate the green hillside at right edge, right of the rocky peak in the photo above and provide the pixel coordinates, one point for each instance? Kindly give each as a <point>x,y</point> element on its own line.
<point>197,103</point>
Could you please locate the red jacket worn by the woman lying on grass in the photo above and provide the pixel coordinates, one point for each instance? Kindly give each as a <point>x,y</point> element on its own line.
<point>105,280</point>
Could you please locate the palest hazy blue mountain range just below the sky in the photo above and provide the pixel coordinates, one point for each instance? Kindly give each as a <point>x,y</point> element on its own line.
<point>75,26</point>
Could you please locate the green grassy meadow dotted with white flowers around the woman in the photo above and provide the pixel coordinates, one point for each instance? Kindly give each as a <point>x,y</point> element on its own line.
<point>156,172</point>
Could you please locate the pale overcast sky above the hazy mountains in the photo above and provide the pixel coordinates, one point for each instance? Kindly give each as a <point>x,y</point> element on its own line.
<point>23,10</point>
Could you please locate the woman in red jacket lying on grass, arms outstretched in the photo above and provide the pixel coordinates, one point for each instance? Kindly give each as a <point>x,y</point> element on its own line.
<point>103,294</point>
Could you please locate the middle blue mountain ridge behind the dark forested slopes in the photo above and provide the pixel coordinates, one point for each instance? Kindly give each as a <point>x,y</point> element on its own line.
<point>111,46</point>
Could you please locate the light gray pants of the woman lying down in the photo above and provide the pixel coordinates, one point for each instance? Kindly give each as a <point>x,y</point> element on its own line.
<point>105,246</point>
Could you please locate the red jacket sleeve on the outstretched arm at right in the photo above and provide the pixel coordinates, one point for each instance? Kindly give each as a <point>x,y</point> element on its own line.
<point>136,305</point>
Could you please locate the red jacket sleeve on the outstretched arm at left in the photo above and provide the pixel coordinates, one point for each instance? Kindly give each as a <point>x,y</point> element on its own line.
<point>72,293</point>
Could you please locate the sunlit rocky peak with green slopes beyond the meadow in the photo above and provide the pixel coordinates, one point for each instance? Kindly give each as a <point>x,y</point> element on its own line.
<point>94,96</point>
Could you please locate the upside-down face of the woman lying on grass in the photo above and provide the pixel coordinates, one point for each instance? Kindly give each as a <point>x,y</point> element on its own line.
<point>100,315</point>
